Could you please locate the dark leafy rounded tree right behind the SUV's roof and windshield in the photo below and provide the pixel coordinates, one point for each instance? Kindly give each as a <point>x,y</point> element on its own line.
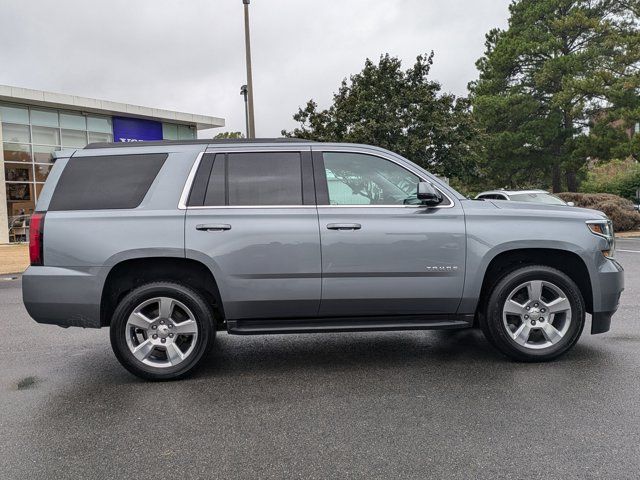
<point>403,111</point>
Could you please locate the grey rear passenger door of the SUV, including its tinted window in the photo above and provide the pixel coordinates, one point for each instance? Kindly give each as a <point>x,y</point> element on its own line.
<point>251,216</point>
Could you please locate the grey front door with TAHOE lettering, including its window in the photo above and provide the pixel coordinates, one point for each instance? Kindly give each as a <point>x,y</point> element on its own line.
<point>383,253</point>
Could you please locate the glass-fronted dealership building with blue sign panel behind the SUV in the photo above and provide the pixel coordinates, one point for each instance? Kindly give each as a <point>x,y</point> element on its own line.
<point>36,123</point>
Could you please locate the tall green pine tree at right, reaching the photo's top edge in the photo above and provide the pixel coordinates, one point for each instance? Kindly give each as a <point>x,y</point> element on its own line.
<point>558,86</point>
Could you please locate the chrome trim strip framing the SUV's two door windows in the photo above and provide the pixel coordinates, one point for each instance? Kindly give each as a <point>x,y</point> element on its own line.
<point>182,204</point>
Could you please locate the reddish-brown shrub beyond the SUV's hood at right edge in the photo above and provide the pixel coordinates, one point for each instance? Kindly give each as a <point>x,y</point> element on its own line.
<point>618,209</point>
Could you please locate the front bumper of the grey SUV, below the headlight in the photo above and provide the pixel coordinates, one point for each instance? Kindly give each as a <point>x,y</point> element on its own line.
<point>606,296</point>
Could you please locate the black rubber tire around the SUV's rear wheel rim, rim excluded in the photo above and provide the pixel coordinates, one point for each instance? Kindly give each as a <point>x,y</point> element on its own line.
<point>190,298</point>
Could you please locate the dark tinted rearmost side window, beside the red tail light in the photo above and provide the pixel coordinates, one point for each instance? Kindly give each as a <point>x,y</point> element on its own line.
<point>106,182</point>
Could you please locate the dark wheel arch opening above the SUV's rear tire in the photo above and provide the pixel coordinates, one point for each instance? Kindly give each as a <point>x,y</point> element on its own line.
<point>131,273</point>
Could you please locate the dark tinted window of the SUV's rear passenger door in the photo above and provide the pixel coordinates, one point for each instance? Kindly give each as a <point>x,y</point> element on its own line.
<point>250,179</point>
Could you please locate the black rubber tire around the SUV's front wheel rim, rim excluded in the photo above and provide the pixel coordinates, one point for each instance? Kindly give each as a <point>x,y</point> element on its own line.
<point>495,330</point>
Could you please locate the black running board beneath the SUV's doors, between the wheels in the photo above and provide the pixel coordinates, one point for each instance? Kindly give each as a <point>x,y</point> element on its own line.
<point>353,324</point>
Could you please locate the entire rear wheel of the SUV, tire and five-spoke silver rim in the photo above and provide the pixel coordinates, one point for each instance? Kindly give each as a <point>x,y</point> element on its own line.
<point>161,331</point>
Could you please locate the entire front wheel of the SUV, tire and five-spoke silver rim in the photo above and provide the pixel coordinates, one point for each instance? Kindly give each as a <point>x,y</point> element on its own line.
<point>535,313</point>
